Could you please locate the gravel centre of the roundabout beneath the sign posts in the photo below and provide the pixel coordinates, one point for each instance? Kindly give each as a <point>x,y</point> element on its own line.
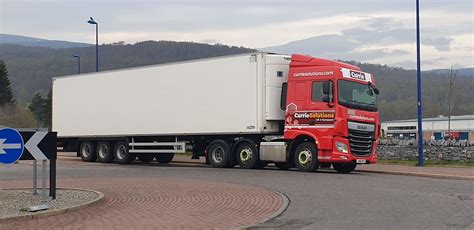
<point>15,202</point>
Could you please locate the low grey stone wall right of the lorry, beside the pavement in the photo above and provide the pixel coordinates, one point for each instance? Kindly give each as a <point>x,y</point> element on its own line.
<point>433,150</point>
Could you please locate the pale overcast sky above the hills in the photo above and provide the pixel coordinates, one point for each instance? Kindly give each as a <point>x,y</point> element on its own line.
<point>376,31</point>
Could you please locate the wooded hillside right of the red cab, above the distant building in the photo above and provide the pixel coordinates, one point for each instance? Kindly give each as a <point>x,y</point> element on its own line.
<point>397,99</point>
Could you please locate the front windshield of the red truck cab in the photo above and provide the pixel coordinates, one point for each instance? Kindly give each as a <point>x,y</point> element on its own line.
<point>356,95</point>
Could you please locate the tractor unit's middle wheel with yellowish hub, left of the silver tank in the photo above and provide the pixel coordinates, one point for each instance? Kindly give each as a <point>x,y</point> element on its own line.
<point>247,155</point>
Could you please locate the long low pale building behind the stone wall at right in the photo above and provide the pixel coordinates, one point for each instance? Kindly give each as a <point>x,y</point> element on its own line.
<point>462,128</point>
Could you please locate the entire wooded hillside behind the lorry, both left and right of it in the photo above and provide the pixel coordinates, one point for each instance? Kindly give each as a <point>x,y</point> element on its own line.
<point>31,69</point>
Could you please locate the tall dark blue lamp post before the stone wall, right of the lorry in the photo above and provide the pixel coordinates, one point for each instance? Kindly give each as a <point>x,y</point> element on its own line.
<point>418,81</point>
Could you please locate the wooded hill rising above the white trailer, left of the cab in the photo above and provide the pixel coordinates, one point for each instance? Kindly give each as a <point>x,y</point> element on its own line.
<point>32,68</point>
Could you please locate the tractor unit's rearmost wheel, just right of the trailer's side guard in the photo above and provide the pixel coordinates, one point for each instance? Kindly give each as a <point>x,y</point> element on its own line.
<point>219,154</point>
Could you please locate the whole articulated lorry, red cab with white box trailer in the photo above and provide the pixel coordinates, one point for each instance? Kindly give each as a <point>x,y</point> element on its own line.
<point>248,110</point>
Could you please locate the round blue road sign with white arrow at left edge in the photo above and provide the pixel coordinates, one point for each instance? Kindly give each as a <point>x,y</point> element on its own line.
<point>11,146</point>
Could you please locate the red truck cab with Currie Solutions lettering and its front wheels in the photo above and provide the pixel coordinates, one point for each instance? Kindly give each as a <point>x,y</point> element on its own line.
<point>331,114</point>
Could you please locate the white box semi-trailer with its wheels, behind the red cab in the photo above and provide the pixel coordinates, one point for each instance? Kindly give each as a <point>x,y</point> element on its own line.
<point>157,110</point>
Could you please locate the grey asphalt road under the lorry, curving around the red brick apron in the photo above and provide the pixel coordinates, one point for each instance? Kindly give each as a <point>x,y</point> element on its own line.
<point>323,200</point>
